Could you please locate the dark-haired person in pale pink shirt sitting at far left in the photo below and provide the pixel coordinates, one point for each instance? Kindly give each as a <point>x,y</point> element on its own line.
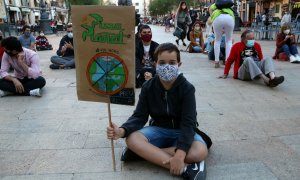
<point>27,79</point>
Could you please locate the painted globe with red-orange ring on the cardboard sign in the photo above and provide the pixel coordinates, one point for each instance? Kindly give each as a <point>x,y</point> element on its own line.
<point>107,73</point>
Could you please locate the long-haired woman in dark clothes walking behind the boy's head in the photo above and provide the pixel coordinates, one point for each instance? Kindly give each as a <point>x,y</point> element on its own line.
<point>182,19</point>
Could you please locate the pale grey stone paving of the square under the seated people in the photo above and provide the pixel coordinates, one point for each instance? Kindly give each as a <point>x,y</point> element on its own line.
<point>255,129</point>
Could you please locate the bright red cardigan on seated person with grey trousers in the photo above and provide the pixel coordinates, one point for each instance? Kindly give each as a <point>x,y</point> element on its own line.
<point>235,57</point>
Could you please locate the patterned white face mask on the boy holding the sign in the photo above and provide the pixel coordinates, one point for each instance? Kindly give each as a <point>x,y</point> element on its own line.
<point>167,72</point>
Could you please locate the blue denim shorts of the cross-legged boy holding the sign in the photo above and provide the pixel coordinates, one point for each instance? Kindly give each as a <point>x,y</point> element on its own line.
<point>164,138</point>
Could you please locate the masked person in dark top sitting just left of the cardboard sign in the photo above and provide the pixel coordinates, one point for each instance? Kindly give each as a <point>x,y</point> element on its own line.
<point>65,52</point>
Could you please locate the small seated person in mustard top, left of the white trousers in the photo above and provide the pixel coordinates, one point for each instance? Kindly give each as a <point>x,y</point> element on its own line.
<point>196,38</point>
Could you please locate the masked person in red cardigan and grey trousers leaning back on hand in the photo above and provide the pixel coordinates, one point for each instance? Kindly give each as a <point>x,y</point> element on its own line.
<point>249,63</point>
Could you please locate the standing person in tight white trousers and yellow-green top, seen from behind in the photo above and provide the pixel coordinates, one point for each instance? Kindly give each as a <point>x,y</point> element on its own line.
<point>223,19</point>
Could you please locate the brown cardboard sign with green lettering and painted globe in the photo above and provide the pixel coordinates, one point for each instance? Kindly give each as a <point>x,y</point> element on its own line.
<point>104,53</point>
